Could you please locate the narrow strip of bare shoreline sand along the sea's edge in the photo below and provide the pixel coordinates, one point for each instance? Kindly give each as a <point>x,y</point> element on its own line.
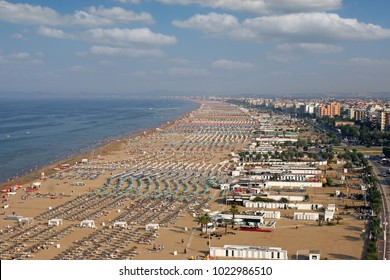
<point>104,148</point>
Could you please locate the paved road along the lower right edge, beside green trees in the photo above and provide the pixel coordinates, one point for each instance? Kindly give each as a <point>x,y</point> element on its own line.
<point>384,183</point>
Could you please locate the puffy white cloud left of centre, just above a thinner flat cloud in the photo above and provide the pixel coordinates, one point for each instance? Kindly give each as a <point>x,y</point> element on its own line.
<point>127,36</point>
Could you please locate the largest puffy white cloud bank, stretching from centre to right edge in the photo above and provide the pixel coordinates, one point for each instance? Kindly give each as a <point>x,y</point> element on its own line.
<point>302,27</point>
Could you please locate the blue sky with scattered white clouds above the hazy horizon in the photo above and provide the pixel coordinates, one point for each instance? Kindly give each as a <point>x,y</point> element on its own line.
<point>194,47</point>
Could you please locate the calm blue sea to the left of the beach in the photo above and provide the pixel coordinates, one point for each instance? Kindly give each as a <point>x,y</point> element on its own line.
<point>37,132</point>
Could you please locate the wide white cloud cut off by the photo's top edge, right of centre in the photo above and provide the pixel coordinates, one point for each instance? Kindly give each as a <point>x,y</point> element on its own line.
<point>264,6</point>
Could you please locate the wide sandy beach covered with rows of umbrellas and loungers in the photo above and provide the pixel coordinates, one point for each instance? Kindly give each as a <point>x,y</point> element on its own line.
<point>159,177</point>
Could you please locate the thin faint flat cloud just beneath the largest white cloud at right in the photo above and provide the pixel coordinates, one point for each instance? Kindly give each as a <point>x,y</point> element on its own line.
<point>308,47</point>
